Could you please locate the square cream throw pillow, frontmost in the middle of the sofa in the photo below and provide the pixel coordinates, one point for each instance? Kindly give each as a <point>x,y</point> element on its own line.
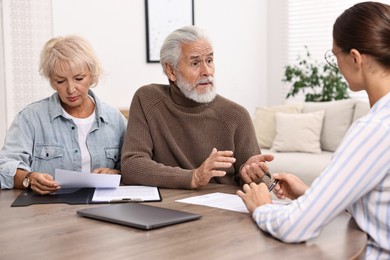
<point>298,132</point>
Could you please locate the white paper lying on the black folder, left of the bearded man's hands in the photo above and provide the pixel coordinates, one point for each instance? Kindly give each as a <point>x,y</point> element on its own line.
<point>132,193</point>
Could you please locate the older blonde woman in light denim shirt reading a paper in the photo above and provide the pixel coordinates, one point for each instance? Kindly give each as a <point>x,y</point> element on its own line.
<point>72,129</point>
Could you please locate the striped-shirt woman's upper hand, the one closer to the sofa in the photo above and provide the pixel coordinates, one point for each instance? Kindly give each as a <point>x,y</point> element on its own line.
<point>289,186</point>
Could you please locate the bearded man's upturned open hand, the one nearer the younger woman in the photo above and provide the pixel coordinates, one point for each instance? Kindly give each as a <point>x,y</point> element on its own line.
<point>255,168</point>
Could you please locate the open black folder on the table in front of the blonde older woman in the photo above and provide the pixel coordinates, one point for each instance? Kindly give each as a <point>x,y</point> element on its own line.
<point>75,196</point>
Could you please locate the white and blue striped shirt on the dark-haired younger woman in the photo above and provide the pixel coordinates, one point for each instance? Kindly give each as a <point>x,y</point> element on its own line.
<point>357,179</point>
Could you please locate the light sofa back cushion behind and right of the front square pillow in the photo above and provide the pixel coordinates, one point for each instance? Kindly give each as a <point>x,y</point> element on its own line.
<point>338,118</point>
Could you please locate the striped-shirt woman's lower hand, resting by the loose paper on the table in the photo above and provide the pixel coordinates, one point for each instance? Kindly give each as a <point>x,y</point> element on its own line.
<point>255,195</point>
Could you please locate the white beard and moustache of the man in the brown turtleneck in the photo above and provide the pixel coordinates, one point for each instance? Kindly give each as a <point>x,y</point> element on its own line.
<point>190,91</point>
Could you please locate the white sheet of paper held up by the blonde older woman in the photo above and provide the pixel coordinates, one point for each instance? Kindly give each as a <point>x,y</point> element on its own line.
<point>72,179</point>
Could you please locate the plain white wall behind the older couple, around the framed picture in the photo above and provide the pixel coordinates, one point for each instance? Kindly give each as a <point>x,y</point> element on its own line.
<point>116,29</point>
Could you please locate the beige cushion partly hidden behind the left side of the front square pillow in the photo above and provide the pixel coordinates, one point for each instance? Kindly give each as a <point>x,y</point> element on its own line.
<point>264,122</point>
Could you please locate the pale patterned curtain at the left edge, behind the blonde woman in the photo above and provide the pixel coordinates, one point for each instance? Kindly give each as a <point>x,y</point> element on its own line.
<point>26,25</point>
